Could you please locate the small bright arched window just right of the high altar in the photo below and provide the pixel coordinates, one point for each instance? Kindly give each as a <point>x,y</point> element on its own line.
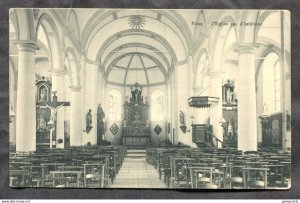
<point>157,105</point>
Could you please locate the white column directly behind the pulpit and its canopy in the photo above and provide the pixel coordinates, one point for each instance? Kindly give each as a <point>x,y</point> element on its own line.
<point>216,111</point>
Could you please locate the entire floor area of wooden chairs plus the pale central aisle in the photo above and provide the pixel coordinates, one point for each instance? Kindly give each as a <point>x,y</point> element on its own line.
<point>156,167</point>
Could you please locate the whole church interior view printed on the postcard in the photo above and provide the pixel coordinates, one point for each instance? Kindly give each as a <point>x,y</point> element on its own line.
<point>129,98</point>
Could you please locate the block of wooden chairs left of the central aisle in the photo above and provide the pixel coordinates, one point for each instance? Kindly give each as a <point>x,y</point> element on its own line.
<point>82,167</point>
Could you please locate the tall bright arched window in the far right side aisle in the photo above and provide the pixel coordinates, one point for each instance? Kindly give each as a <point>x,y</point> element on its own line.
<point>271,75</point>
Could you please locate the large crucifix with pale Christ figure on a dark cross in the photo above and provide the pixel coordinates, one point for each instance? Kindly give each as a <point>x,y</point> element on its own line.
<point>53,106</point>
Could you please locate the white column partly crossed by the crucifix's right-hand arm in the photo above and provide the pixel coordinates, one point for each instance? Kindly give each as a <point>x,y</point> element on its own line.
<point>58,86</point>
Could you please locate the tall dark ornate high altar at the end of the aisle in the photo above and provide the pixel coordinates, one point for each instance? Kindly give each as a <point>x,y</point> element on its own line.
<point>136,129</point>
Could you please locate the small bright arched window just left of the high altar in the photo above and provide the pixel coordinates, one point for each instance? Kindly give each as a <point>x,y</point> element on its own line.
<point>114,105</point>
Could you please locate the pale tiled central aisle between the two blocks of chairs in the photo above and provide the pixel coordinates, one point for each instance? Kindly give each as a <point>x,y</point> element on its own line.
<point>137,173</point>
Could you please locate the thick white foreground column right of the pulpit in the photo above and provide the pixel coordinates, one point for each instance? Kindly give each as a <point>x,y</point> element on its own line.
<point>247,117</point>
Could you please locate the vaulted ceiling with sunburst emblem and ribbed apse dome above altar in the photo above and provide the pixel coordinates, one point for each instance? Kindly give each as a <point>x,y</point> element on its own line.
<point>134,45</point>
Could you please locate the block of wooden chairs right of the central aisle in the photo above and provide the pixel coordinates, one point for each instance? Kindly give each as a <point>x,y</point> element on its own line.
<point>184,167</point>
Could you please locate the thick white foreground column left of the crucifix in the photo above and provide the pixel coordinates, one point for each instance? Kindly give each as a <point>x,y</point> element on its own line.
<point>26,109</point>
